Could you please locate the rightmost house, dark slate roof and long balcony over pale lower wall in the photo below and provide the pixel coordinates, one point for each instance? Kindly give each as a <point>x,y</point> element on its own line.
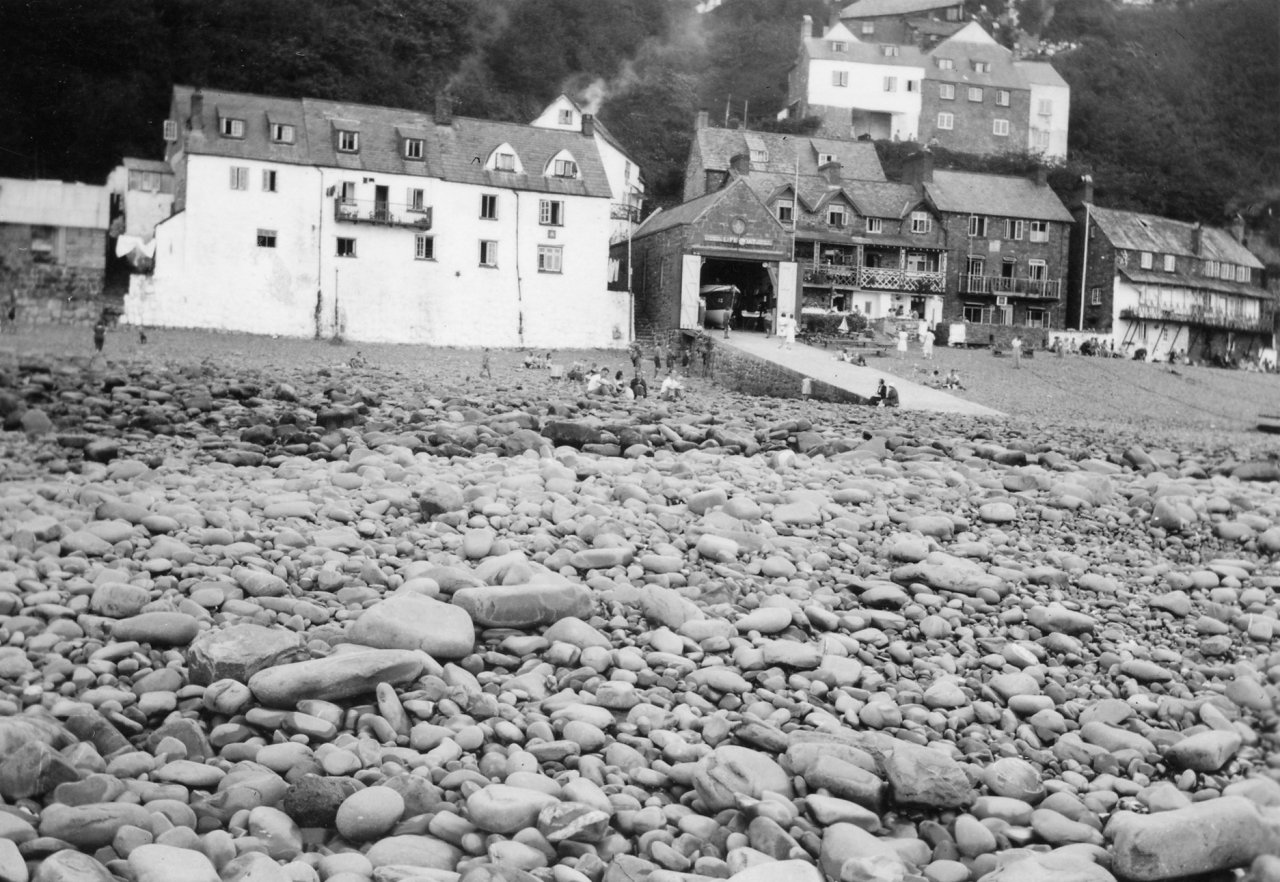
<point>1168,286</point>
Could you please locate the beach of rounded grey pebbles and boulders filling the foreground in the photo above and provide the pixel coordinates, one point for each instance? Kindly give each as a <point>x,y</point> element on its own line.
<point>340,627</point>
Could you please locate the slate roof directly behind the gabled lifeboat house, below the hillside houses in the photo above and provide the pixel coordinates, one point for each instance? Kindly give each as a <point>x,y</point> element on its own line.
<point>858,159</point>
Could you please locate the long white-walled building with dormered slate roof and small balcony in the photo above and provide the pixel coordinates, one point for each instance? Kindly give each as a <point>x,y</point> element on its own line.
<point>318,218</point>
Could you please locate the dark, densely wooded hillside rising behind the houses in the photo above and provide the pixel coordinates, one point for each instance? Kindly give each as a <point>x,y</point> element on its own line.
<point>1174,107</point>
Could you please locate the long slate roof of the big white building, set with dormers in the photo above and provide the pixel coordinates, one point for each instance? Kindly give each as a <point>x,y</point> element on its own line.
<point>454,153</point>
